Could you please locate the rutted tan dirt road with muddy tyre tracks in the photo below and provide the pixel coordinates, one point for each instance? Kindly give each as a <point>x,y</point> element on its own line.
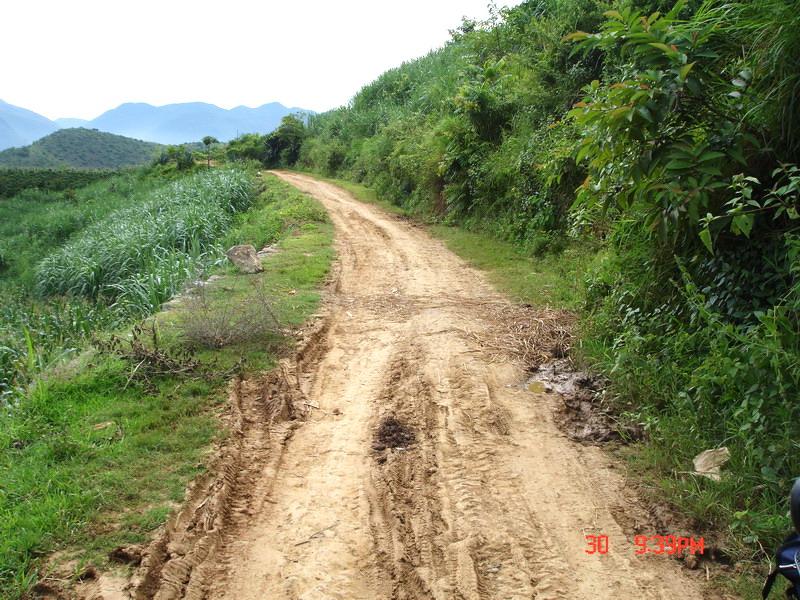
<point>489,500</point>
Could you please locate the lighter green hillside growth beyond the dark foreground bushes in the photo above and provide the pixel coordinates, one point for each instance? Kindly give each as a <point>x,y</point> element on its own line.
<point>472,132</point>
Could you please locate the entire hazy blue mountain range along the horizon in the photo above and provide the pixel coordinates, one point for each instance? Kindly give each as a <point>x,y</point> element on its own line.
<point>169,124</point>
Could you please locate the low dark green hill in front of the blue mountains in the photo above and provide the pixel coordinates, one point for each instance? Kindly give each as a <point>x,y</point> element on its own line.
<point>81,149</point>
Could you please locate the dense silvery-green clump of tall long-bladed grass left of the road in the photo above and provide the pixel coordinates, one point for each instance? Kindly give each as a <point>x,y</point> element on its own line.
<point>139,256</point>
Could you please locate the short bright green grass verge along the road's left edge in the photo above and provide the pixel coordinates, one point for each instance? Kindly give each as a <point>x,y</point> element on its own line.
<point>99,459</point>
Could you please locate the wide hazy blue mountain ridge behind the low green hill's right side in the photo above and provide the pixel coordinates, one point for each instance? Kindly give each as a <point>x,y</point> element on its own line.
<point>189,122</point>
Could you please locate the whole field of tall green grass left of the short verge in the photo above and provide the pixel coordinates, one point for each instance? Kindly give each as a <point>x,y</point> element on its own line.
<point>115,250</point>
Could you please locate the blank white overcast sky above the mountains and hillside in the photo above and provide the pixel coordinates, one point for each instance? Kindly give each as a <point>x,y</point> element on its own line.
<point>80,58</point>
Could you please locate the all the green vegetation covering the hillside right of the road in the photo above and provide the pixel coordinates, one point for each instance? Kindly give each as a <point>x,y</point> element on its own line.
<point>664,135</point>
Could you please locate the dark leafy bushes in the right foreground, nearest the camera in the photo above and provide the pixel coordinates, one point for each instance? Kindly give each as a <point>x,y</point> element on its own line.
<point>682,147</point>
